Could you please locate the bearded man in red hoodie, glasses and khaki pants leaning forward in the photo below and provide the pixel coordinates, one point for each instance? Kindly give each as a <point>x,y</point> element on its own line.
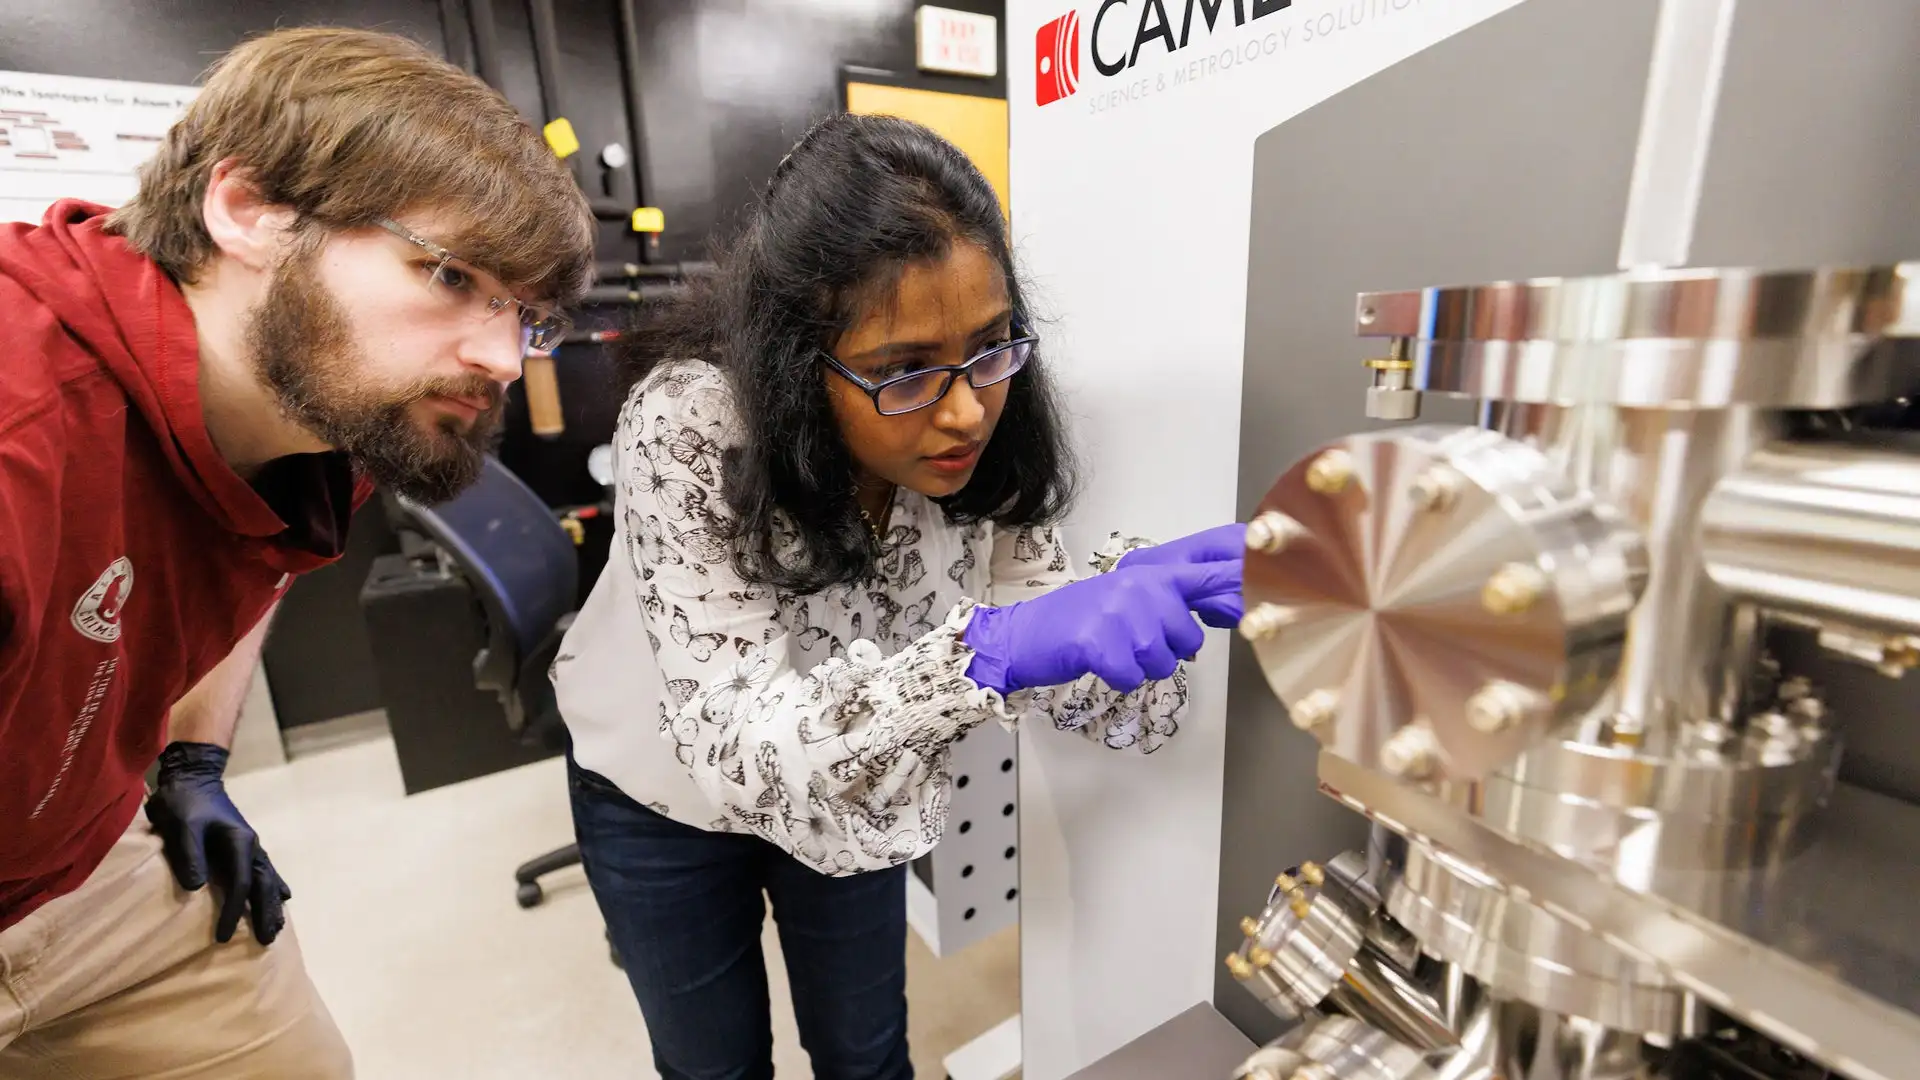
<point>331,272</point>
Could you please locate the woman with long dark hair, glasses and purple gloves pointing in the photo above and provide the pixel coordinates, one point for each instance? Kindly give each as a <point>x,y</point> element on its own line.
<point>840,466</point>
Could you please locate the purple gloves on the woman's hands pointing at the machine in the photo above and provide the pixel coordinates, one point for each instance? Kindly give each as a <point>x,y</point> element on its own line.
<point>1128,626</point>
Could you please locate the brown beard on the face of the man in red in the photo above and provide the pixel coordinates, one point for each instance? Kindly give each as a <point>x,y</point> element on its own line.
<point>304,349</point>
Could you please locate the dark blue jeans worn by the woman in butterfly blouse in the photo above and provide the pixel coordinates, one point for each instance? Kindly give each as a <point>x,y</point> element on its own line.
<point>684,910</point>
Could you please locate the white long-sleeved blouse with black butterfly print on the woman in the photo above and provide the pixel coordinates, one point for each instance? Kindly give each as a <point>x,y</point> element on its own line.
<point>821,724</point>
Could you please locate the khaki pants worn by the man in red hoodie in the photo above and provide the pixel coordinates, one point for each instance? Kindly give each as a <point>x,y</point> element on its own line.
<point>124,979</point>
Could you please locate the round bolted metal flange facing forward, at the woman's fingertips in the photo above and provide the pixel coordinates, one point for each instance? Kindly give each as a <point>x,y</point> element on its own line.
<point>1445,599</point>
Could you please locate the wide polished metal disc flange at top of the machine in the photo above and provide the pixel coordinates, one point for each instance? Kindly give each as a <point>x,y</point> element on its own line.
<point>1689,339</point>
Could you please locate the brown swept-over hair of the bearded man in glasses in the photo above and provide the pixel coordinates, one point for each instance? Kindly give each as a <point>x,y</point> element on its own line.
<point>348,128</point>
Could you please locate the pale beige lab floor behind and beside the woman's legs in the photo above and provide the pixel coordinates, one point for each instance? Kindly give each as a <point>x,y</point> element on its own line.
<point>408,920</point>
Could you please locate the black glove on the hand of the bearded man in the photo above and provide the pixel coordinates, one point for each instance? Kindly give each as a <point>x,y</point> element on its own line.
<point>208,839</point>
